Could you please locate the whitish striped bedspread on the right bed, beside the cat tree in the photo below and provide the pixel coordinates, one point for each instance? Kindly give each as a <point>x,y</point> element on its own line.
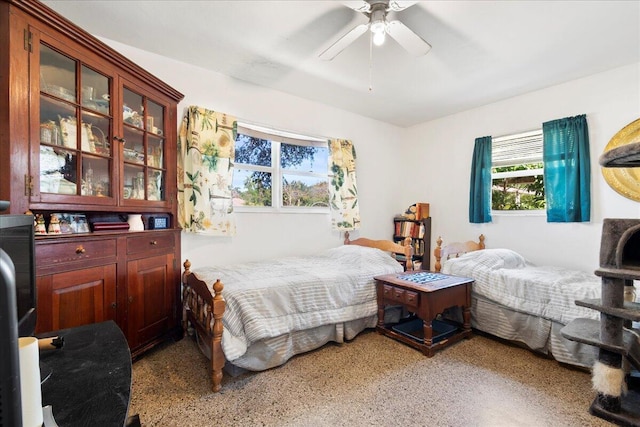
<point>505,277</point>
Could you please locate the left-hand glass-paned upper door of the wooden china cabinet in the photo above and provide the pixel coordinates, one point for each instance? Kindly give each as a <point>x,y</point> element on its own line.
<point>76,157</point>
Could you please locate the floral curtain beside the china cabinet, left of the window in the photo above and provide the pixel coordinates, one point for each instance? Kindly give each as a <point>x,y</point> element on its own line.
<point>206,151</point>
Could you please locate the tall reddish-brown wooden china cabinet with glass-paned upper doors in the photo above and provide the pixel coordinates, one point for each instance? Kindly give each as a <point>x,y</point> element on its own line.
<point>90,137</point>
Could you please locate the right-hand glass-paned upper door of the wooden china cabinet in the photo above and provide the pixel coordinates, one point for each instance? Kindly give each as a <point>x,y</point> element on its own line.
<point>143,152</point>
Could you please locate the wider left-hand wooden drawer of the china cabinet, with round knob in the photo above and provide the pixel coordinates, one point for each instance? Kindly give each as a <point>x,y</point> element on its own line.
<point>74,251</point>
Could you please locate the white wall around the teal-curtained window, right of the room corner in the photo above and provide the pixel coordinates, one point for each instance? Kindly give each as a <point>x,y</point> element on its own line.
<point>440,161</point>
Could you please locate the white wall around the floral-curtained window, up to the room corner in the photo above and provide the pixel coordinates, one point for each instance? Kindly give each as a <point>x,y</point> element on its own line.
<point>264,235</point>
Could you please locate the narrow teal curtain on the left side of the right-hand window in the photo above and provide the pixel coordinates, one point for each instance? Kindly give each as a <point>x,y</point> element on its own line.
<point>480,189</point>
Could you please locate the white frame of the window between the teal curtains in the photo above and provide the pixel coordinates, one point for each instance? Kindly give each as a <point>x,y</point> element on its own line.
<point>515,161</point>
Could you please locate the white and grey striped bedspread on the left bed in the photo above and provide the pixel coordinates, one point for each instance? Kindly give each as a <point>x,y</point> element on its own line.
<point>271,298</point>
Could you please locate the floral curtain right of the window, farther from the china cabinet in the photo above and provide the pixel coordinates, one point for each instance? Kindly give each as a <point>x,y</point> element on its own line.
<point>343,191</point>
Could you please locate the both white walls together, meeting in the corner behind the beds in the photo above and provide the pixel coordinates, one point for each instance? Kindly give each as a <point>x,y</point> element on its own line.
<point>429,162</point>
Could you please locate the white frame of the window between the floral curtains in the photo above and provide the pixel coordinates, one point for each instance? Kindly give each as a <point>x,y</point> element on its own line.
<point>277,138</point>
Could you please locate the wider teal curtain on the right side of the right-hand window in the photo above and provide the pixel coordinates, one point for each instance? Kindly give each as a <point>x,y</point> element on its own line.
<point>567,169</point>
